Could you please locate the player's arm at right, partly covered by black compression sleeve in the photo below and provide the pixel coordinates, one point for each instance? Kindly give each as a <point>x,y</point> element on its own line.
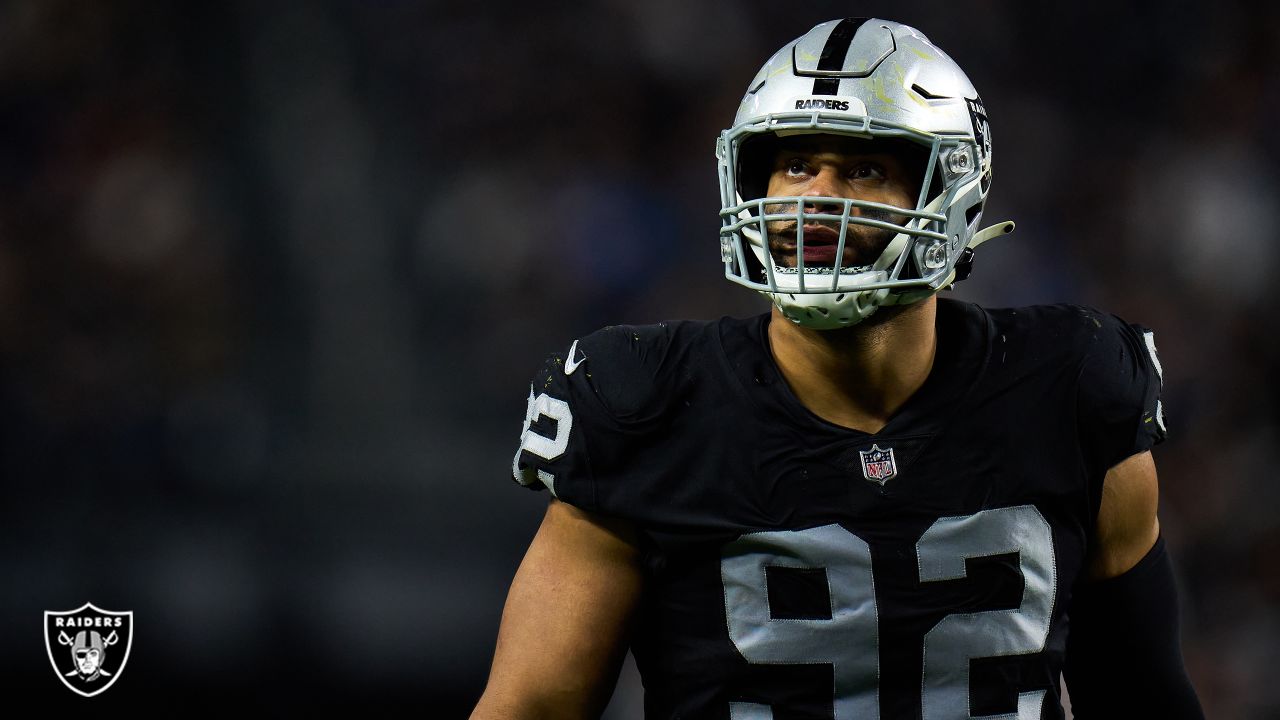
<point>1124,655</point>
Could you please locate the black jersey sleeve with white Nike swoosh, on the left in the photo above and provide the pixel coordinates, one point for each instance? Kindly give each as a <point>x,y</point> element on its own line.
<point>583,405</point>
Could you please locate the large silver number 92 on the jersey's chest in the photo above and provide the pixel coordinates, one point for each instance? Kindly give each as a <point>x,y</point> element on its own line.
<point>849,639</point>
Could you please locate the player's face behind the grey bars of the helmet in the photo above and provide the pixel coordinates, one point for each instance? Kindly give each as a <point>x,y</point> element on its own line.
<point>826,166</point>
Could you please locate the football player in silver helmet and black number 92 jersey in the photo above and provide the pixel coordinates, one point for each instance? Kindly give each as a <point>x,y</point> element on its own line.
<point>871,502</point>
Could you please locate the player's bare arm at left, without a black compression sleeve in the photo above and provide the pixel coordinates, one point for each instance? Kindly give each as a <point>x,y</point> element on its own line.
<point>565,626</point>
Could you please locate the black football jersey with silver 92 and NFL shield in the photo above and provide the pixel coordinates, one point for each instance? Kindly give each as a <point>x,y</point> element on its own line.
<point>801,569</point>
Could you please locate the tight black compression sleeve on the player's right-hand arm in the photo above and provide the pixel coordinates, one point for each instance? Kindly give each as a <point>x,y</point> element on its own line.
<point>1124,653</point>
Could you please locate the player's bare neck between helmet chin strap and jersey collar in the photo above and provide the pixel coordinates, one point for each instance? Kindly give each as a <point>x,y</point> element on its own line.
<point>858,377</point>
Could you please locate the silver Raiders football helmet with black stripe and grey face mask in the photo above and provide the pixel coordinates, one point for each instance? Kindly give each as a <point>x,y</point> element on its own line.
<point>874,80</point>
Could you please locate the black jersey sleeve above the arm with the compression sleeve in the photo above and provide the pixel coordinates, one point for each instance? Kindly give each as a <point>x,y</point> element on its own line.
<point>1119,405</point>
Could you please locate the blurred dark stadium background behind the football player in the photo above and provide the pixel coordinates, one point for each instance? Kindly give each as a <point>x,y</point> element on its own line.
<point>275,279</point>
